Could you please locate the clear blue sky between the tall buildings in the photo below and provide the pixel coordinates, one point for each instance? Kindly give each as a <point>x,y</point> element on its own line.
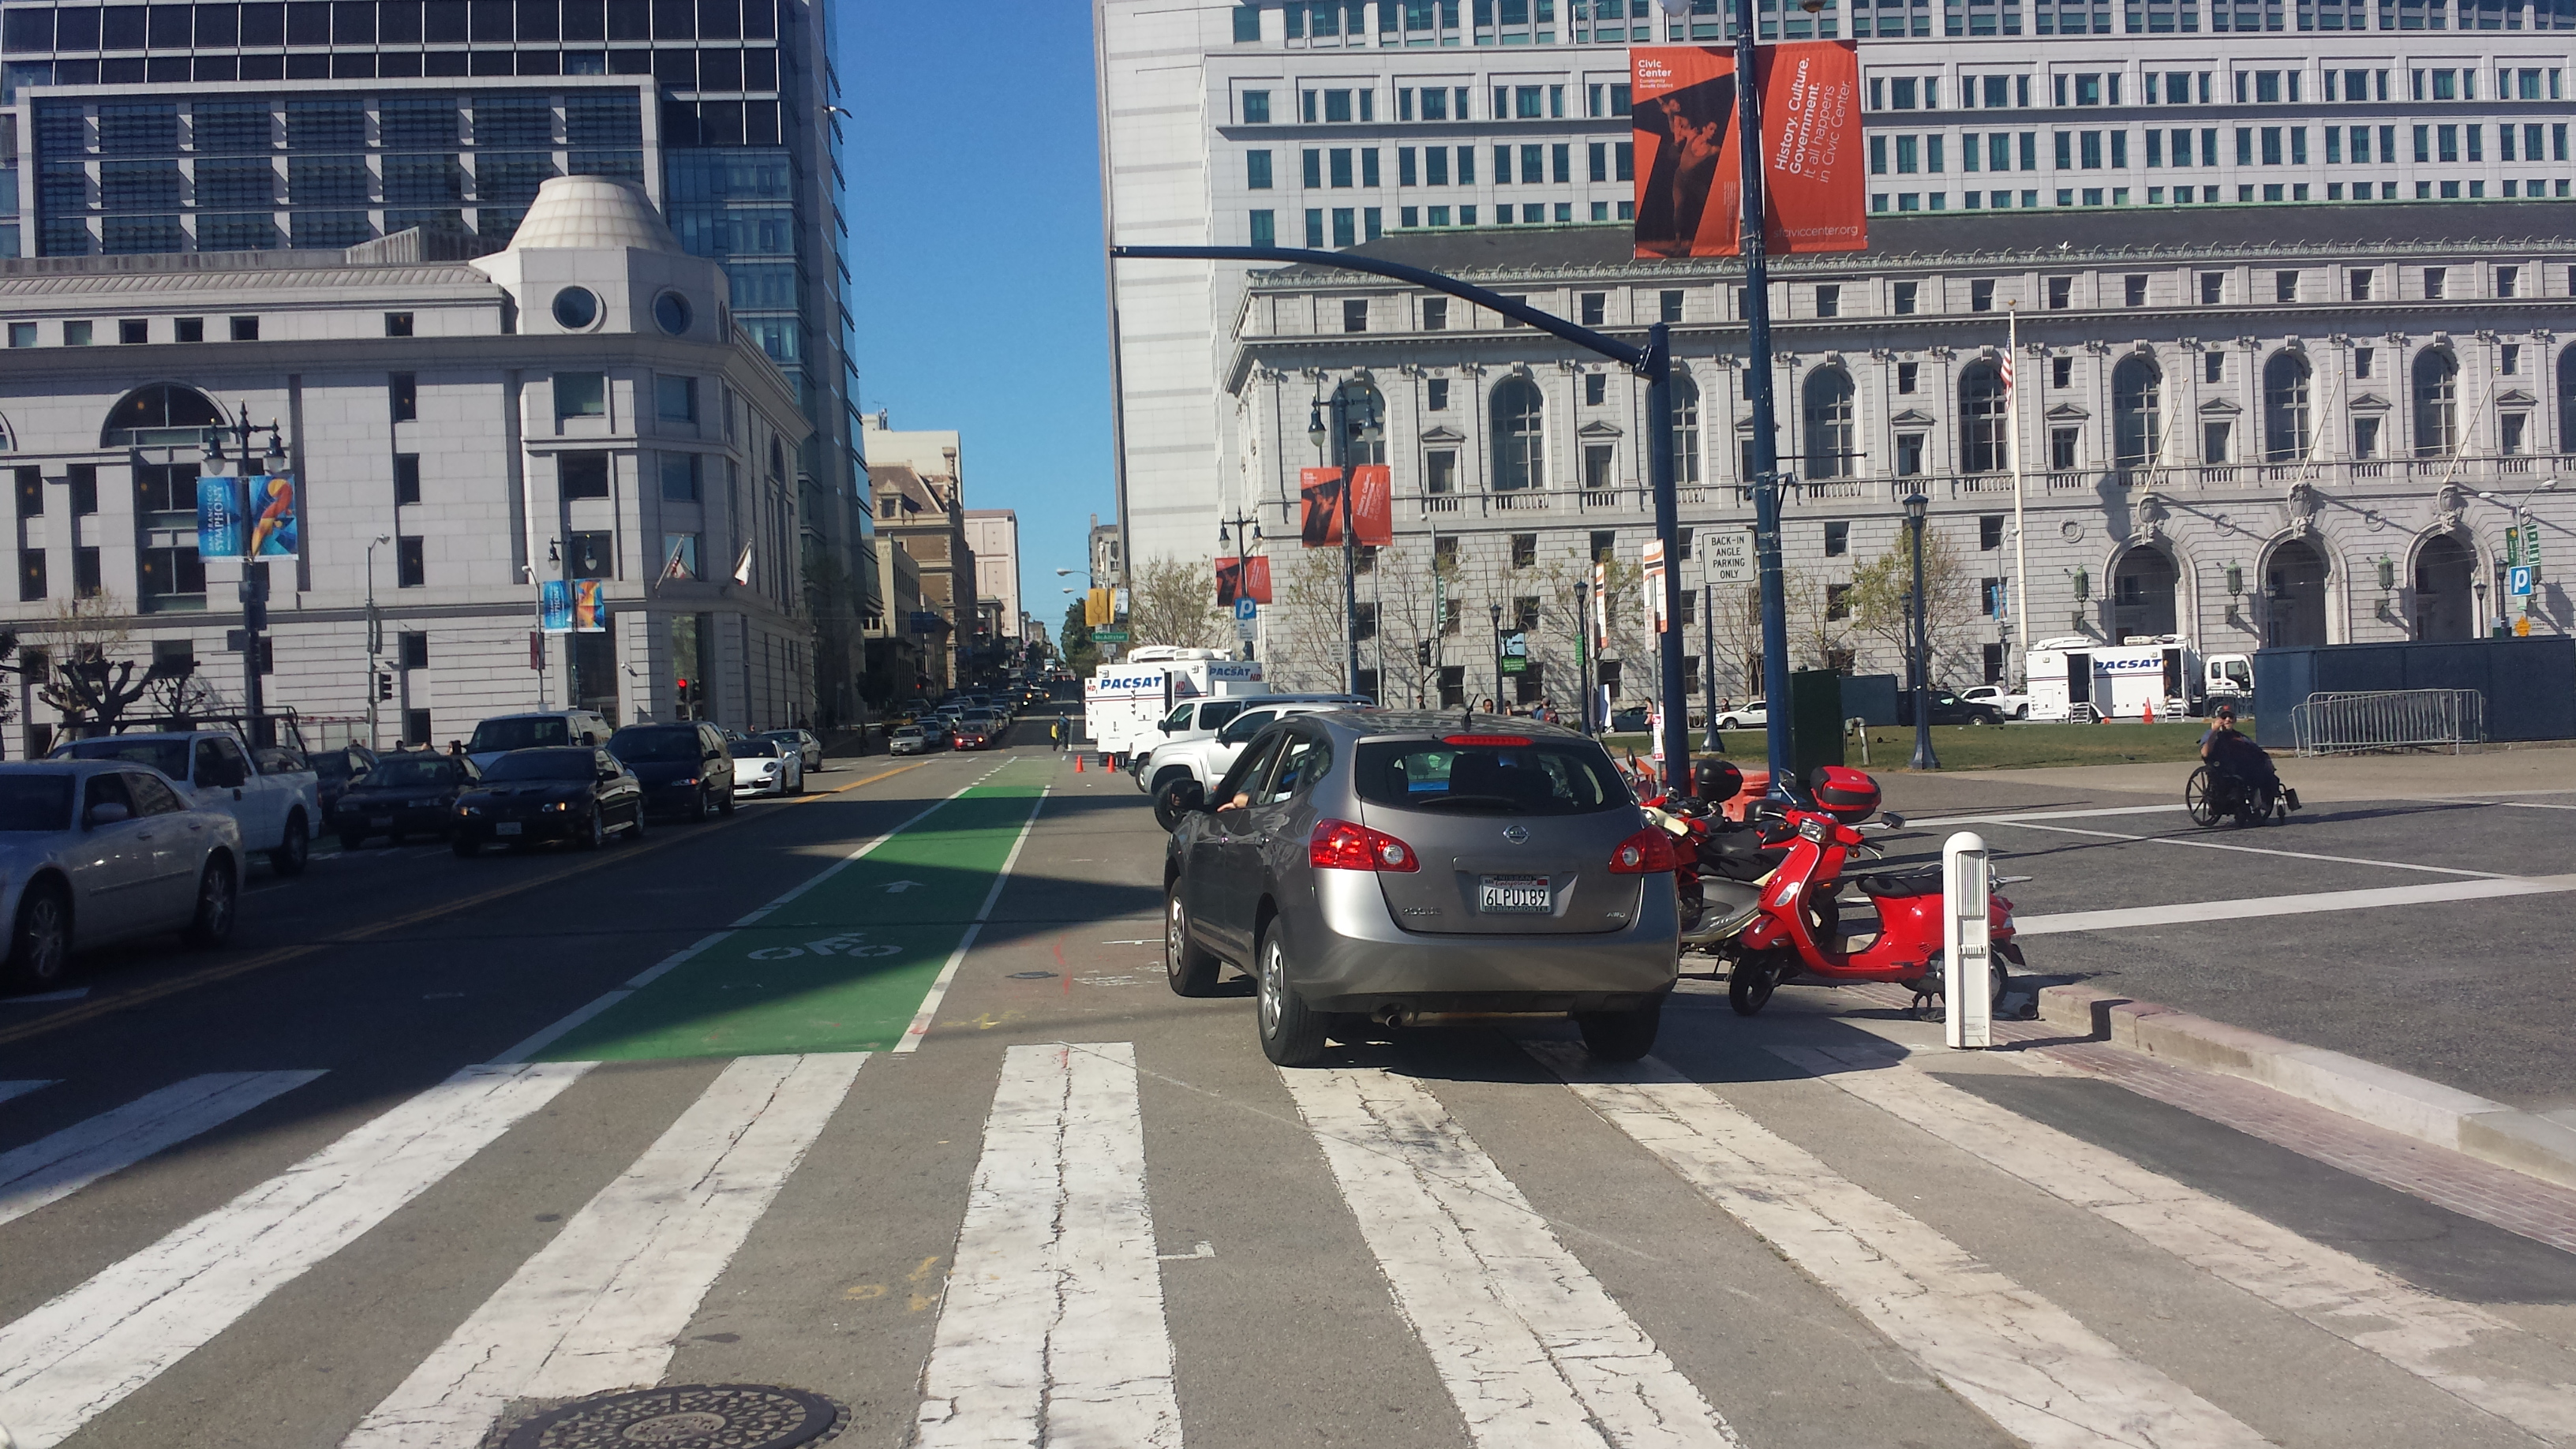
<point>975,262</point>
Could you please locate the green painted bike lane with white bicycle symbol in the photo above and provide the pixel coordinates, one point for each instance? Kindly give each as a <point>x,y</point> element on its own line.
<point>841,963</point>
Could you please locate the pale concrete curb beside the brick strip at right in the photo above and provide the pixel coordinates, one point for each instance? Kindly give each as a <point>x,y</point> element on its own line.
<point>2369,1092</point>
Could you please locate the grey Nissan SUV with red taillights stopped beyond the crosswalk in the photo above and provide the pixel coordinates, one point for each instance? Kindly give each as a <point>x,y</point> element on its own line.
<point>1372,868</point>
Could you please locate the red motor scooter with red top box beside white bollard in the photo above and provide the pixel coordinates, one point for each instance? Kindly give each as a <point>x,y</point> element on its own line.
<point>1797,924</point>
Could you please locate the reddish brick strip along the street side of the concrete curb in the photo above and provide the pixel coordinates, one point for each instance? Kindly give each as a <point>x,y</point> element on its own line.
<point>2446,1180</point>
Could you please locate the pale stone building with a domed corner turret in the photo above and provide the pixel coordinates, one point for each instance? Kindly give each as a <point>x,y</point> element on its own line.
<point>578,406</point>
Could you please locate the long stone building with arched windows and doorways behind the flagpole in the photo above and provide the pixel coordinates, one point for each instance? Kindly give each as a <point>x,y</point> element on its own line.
<point>2312,404</point>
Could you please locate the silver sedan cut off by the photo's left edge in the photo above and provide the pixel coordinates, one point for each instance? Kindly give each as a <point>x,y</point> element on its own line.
<point>104,850</point>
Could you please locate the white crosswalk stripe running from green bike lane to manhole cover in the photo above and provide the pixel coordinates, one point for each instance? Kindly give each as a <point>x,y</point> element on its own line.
<point>607,1303</point>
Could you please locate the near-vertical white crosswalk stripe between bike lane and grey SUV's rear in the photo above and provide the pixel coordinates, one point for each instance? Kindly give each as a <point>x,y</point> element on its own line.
<point>1052,1329</point>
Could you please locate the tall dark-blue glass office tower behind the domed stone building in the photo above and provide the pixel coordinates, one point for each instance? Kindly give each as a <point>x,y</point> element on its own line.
<point>328,122</point>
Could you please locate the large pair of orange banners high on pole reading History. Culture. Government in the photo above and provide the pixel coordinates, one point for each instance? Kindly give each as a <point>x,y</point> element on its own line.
<point>1689,171</point>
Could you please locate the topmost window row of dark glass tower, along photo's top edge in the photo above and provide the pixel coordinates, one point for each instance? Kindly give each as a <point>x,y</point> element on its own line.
<point>35,30</point>
